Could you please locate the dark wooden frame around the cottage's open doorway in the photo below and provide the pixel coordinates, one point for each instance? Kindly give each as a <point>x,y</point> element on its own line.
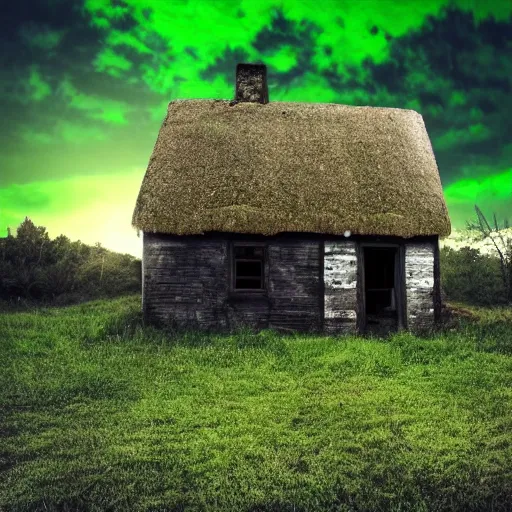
<point>399,281</point>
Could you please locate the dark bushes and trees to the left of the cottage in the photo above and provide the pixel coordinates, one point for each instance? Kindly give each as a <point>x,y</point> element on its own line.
<point>35,268</point>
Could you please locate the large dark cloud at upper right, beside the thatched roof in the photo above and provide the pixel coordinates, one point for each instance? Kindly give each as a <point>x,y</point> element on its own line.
<point>453,54</point>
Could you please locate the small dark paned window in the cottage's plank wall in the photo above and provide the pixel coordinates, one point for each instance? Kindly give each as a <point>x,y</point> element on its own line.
<point>248,267</point>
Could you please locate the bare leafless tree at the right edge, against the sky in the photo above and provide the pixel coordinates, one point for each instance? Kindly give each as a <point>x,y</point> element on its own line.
<point>503,247</point>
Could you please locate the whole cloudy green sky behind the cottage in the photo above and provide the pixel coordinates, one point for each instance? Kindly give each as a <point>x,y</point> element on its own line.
<point>85,84</point>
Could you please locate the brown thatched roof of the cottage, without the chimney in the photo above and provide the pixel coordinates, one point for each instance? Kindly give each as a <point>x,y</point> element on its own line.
<point>267,168</point>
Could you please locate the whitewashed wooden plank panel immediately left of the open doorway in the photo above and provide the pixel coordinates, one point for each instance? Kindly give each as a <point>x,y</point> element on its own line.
<point>340,287</point>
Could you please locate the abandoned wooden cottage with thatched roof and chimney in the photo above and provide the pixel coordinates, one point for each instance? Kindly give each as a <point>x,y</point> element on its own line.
<point>294,216</point>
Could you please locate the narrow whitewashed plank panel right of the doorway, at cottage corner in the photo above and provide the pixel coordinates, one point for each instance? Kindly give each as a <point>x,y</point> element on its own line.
<point>419,285</point>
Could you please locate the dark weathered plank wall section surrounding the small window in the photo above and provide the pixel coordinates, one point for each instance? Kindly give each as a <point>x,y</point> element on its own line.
<point>186,284</point>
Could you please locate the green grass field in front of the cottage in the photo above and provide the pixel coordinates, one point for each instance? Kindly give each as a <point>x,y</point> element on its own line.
<point>101,413</point>
